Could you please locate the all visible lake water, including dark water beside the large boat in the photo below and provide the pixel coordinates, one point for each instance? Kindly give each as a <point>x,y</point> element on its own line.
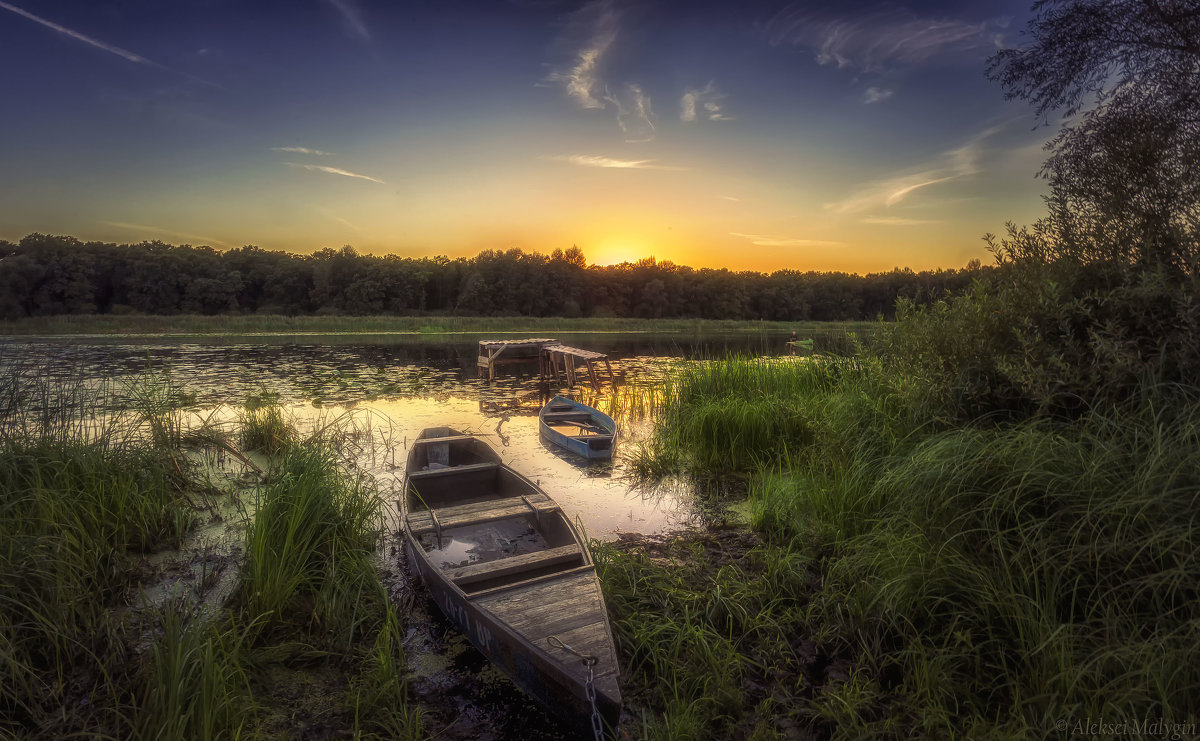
<point>387,389</point>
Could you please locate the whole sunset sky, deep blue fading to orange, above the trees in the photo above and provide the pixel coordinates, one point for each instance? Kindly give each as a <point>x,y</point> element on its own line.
<point>753,135</point>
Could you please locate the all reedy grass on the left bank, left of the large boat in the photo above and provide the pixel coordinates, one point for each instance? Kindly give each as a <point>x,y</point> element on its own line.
<point>92,481</point>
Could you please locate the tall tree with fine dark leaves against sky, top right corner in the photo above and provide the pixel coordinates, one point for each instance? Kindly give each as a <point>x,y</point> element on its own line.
<point>1125,168</point>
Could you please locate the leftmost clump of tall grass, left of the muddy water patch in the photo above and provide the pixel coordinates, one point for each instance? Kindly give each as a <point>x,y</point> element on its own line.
<point>81,498</point>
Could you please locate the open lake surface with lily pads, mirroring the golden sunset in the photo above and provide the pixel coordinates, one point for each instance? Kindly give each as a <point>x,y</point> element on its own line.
<point>397,389</point>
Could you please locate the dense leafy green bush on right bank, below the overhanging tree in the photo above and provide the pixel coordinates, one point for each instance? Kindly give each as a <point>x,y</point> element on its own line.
<point>1046,334</point>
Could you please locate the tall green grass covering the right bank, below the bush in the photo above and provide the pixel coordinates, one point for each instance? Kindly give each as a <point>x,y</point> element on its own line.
<point>983,582</point>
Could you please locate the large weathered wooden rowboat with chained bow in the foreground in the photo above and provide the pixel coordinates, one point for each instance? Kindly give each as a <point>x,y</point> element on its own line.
<point>509,569</point>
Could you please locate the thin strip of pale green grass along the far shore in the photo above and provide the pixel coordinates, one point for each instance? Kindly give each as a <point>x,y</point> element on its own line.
<point>275,324</point>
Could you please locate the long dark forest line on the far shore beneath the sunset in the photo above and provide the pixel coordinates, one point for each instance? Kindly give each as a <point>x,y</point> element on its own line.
<point>46,275</point>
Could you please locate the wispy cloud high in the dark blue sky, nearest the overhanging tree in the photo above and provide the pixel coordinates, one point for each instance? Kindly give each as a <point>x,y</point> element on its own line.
<point>878,41</point>
